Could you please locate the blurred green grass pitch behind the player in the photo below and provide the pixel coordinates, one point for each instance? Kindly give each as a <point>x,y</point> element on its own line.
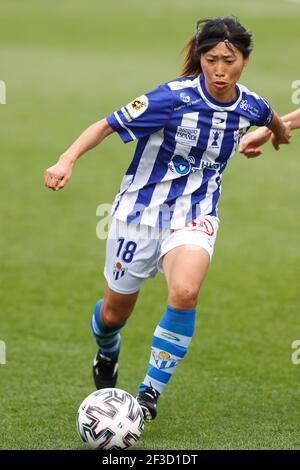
<point>67,64</point>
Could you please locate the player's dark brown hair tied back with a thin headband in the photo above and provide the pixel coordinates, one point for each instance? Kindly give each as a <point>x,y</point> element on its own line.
<point>209,33</point>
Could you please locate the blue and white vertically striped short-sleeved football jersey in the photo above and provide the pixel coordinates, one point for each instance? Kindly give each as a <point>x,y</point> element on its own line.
<point>185,139</point>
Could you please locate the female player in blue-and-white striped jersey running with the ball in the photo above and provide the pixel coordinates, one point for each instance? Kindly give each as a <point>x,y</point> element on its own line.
<point>165,214</point>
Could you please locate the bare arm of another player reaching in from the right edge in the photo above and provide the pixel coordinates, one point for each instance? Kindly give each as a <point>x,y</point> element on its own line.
<point>250,144</point>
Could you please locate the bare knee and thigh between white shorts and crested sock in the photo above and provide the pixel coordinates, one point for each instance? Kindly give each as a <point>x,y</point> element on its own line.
<point>185,268</point>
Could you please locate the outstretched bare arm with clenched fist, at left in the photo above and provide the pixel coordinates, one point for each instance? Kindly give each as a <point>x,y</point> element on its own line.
<point>57,176</point>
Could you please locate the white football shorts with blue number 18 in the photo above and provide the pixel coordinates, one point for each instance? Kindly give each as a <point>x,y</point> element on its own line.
<point>134,252</point>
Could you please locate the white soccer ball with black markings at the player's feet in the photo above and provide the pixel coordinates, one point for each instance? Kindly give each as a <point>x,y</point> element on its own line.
<point>110,418</point>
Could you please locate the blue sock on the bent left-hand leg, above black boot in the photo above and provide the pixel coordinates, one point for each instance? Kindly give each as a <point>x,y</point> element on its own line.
<point>107,338</point>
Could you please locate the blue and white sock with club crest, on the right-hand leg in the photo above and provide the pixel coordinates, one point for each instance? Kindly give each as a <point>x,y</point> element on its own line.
<point>169,346</point>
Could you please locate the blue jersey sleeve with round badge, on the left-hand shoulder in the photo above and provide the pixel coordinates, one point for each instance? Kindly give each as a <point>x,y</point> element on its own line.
<point>144,115</point>
